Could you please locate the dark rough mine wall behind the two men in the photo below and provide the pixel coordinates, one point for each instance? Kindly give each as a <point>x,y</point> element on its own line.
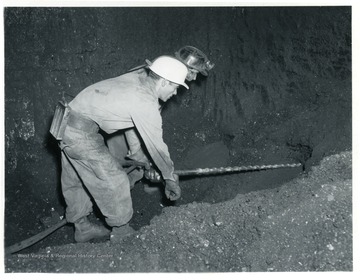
<point>280,91</point>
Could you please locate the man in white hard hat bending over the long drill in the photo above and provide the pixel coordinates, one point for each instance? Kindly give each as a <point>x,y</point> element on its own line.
<point>91,172</point>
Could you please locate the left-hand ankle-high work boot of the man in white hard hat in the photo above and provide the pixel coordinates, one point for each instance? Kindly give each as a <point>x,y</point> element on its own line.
<point>85,231</point>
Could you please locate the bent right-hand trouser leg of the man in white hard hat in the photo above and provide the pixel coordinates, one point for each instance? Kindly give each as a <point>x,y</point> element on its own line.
<point>104,178</point>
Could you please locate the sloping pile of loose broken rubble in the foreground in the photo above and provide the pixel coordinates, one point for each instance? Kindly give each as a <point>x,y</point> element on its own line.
<point>303,225</point>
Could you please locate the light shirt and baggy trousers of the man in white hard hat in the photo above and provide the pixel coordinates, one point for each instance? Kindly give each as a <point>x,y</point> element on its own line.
<point>115,104</point>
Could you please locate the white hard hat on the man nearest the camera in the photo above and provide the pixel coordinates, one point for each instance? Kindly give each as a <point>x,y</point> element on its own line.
<point>170,69</point>
